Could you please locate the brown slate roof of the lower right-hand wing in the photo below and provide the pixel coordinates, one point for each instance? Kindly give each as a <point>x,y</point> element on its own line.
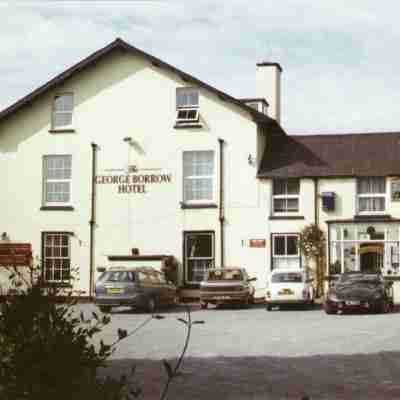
<point>367,154</point>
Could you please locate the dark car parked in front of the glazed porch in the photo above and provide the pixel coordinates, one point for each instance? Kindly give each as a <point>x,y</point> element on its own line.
<point>359,291</point>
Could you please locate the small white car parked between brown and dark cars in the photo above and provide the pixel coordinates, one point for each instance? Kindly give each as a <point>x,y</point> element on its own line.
<point>289,286</point>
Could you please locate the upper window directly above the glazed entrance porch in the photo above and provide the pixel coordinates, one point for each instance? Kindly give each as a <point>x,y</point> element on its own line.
<point>371,194</point>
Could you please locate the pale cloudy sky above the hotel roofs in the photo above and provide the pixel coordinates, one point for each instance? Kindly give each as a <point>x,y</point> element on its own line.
<point>340,58</point>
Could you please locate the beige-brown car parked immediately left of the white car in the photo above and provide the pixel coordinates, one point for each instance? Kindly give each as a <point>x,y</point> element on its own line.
<point>226,285</point>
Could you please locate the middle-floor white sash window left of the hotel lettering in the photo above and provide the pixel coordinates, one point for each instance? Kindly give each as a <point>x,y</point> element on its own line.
<point>57,180</point>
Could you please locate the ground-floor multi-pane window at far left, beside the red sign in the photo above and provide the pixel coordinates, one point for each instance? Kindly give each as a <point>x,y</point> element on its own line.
<point>56,257</point>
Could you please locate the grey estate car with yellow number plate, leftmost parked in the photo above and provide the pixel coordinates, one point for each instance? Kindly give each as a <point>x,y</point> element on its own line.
<point>139,288</point>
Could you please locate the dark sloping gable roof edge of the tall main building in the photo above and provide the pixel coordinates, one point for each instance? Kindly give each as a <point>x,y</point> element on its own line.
<point>123,46</point>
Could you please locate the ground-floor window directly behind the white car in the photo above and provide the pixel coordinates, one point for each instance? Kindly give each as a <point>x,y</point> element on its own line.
<point>285,251</point>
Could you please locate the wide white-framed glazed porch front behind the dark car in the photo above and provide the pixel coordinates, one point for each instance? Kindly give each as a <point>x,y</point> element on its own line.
<point>364,247</point>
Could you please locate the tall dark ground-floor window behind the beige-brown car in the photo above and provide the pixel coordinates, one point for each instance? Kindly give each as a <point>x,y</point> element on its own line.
<point>199,254</point>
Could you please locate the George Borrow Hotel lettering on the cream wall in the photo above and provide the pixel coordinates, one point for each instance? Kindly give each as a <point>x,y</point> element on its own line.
<point>134,181</point>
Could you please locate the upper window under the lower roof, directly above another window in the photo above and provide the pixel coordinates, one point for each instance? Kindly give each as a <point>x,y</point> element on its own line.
<point>286,193</point>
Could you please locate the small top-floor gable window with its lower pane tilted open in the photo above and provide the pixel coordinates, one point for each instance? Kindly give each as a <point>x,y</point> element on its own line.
<point>187,105</point>
